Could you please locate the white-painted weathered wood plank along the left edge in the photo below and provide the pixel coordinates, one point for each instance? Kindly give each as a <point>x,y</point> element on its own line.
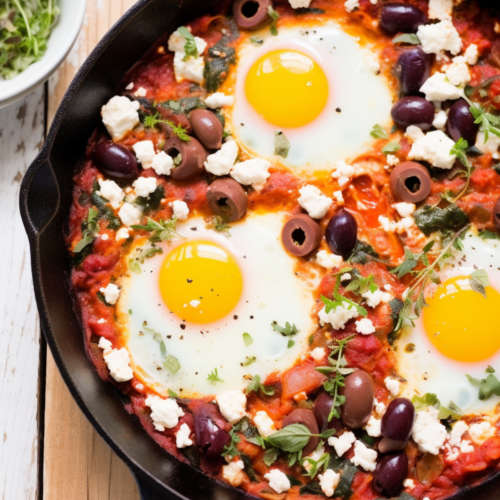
<point>21,136</point>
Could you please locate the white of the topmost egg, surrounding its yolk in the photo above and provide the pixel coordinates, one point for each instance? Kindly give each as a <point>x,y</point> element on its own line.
<point>363,97</point>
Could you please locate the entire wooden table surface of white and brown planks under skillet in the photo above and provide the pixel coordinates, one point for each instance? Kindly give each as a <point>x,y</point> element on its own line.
<point>48,449</point>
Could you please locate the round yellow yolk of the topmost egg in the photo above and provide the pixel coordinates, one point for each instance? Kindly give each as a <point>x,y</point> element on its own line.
<point>287,88</point>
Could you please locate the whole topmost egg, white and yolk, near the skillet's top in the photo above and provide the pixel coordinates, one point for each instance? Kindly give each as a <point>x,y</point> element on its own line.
<point>319,86</point>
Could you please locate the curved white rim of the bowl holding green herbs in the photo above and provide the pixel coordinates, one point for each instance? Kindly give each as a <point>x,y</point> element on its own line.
<point>27,84</point>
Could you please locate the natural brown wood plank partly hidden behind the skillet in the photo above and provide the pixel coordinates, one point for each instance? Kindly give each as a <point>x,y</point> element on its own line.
<point>78,465</point>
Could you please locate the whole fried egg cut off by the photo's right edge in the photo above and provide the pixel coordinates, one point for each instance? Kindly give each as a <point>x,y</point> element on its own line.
<point>459,333</point>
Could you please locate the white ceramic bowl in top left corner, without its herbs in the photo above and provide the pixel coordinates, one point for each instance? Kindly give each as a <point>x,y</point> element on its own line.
<point>61,40</point>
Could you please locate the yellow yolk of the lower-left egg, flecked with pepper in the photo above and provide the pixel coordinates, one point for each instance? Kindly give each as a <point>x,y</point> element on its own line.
<point>200,281</point>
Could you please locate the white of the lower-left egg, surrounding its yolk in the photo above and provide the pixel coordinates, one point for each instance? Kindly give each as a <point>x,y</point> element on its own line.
<point>271,292</point>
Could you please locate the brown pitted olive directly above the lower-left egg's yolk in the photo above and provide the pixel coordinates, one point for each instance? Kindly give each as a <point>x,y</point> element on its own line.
<point>227,199</point>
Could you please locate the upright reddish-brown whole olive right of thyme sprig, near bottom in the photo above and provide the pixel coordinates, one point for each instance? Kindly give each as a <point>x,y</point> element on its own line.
<point>359,392</point>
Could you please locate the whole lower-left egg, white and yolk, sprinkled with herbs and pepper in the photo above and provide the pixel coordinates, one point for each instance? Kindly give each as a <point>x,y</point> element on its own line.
<point>195,301</point>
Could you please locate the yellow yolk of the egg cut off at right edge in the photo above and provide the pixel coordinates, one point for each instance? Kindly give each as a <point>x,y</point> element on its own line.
<point>461,323</point>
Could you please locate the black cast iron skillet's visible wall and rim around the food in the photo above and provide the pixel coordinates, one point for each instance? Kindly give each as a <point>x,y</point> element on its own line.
<point>45,202</point>
